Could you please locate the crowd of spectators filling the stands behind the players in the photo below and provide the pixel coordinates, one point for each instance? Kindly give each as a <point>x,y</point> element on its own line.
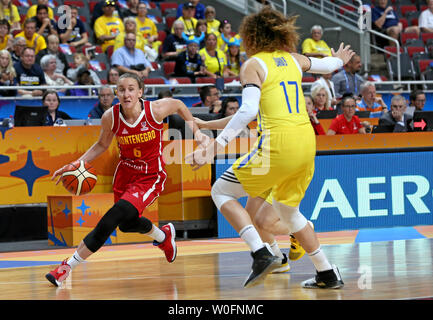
<point>40,47</point>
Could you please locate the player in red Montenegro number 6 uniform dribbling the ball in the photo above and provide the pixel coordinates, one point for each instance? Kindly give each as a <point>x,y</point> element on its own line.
<point>140,174</point>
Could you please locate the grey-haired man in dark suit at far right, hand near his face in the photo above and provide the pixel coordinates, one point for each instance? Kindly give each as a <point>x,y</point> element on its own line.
<point>397,118</point>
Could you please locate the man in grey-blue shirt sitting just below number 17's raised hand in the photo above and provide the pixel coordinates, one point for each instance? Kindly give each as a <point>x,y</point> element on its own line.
<point>347,80</point>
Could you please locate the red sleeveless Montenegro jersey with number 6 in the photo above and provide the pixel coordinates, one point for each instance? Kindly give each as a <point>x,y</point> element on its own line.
<point>140,144</point>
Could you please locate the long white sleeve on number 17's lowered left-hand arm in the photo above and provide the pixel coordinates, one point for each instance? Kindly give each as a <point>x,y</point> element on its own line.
<point>246,113</point>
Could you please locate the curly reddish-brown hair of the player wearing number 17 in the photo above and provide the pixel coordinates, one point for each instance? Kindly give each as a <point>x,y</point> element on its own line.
<point>269,30</point>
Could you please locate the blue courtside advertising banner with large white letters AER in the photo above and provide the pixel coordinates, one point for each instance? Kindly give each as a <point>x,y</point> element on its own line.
<point>356,191</point>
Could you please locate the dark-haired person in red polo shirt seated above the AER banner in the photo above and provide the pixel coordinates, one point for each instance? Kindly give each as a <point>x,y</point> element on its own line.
<point>347,122</point>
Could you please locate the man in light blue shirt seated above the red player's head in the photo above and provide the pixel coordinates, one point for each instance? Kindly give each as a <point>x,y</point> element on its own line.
<point>130,59</point>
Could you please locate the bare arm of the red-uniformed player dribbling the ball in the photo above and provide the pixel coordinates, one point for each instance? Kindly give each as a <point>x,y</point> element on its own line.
<point>104,141</point>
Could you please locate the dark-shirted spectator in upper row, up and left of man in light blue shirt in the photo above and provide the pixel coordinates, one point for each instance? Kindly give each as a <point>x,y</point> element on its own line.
<point>75,34</point>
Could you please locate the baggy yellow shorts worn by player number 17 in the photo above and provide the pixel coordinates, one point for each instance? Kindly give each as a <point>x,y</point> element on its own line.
<point>281,165</point>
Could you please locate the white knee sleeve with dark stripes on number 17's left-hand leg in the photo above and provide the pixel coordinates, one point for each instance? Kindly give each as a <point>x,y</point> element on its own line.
<point>227,188</point>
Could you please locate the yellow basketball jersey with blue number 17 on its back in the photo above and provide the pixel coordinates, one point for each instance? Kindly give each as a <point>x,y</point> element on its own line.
<point>282,103</point>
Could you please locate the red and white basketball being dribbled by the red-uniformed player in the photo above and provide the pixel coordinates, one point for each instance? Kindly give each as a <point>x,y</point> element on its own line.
<point>79,177</point>
